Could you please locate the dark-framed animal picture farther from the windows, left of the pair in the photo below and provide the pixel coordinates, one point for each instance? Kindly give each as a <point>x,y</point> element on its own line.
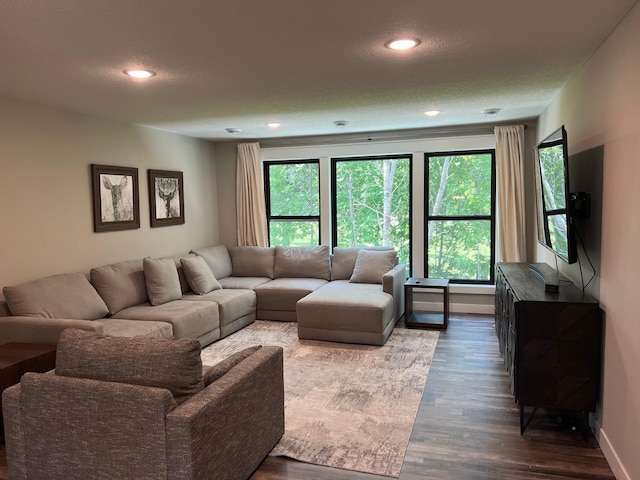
<point>115,198</point>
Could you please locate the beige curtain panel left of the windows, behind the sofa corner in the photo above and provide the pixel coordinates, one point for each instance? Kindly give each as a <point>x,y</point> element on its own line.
<point>251,210</point>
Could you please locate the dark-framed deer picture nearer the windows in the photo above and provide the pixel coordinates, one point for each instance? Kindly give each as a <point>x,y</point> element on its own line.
<point>166,198</point>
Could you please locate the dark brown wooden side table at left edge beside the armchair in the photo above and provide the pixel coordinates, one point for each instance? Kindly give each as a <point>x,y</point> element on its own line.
<point>16,359</point>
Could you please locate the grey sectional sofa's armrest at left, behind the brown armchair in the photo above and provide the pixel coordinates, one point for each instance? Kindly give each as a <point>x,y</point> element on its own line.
<point>40,329</point>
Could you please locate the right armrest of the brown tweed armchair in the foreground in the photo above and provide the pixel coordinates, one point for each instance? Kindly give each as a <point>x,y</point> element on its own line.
<point>227,429</point>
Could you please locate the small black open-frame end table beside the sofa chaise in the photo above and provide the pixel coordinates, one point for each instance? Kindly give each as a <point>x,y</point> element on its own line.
<point>420,319</point>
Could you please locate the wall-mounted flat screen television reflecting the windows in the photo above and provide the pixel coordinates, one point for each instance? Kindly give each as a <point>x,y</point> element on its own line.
<point>554,205</point>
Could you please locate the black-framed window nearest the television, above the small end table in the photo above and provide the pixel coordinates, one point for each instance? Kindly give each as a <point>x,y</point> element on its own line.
<point>460,216</point>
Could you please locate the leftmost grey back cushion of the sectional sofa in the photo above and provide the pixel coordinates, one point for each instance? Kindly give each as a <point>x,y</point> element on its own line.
<point>68,295</point>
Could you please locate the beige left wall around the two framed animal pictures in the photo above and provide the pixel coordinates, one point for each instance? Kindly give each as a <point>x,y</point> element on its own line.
<point>45,196</point>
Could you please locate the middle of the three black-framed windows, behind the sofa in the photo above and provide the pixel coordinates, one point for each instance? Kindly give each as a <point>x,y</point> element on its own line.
<point>371,199</point>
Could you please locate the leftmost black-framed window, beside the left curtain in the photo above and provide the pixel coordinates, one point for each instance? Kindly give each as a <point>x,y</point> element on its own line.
<point>293,202</point>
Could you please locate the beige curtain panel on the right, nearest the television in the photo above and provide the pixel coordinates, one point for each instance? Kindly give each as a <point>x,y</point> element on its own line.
<point>512,240</point>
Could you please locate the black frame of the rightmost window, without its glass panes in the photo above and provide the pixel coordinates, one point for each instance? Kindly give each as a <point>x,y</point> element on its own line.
<point>491,217</point>
